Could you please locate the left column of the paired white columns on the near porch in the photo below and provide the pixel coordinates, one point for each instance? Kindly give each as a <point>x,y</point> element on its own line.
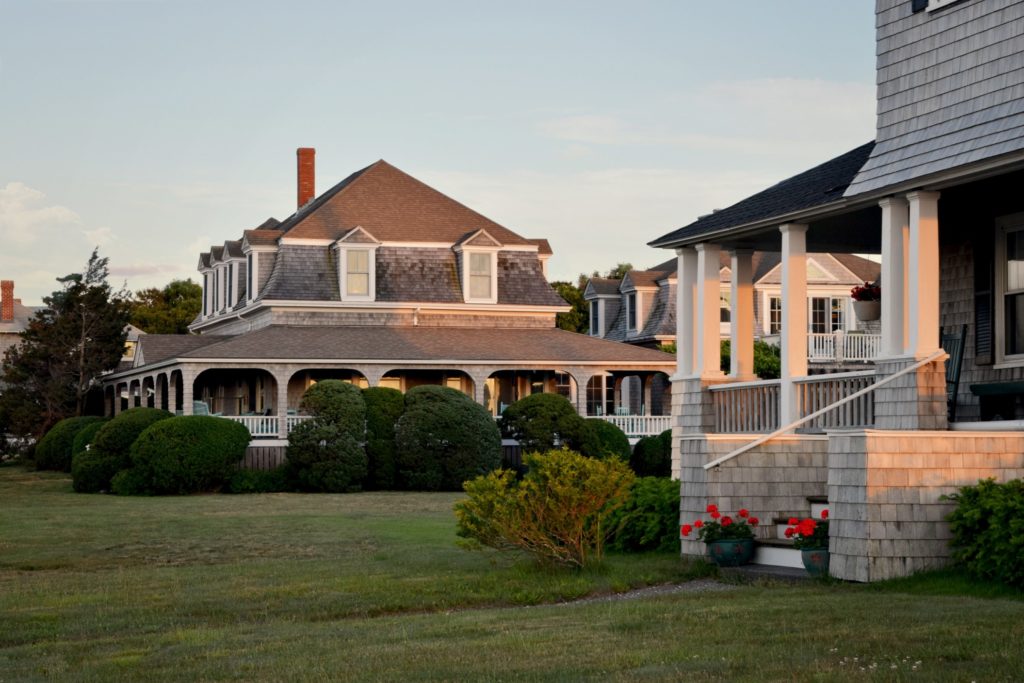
<point>895,219</point>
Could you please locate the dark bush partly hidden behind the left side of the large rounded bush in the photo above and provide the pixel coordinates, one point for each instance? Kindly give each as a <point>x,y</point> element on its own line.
<point>111,449</point>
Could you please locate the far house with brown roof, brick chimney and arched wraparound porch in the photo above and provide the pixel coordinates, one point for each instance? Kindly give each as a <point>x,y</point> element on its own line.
<point>380,281</point>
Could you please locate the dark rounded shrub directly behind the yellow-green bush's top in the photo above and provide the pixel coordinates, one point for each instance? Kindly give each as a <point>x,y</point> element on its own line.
<point>541,420</point>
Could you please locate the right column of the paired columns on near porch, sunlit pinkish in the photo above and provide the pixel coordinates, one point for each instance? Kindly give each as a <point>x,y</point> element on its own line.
<point>923,275</point>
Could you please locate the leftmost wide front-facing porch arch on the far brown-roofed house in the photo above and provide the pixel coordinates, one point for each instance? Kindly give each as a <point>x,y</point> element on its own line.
<point>235,393</point>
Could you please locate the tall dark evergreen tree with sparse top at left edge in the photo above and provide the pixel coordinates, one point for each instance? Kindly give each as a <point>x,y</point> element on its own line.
<point>78,335</point>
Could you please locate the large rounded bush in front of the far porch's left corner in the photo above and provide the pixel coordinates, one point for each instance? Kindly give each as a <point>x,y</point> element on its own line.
<point>187,455</point>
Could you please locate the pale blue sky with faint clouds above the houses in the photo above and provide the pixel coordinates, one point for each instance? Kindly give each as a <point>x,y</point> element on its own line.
<point>153,130</point>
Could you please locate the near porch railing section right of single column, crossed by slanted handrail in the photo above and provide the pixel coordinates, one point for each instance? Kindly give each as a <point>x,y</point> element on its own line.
<point>820,392</point>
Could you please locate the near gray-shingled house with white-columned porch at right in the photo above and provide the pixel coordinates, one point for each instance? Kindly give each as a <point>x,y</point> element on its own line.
<point>938,196</point>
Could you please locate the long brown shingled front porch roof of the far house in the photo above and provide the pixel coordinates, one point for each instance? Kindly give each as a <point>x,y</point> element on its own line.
<point>426,345</point>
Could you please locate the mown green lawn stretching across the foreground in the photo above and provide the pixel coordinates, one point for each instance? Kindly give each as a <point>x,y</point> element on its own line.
<point>372,586</point>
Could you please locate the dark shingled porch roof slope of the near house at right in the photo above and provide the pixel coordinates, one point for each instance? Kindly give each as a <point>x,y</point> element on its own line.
<point>818,187</point>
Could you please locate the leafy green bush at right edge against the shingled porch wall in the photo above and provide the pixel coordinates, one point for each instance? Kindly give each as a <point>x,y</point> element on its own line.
<point>989,531</point>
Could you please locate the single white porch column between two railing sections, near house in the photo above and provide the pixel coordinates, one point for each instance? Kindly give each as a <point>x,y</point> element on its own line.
<point>794,332</point>
